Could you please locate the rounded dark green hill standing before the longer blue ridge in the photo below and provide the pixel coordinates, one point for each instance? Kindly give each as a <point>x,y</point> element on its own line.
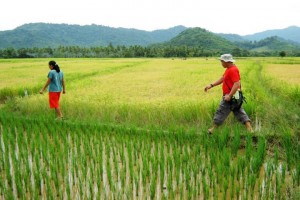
<point>198,37</point>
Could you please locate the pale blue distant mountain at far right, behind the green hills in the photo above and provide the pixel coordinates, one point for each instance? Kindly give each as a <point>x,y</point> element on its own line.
<point>291,33</point>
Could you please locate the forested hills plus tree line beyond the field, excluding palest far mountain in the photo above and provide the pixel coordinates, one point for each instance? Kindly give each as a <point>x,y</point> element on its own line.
<point>61,40</point>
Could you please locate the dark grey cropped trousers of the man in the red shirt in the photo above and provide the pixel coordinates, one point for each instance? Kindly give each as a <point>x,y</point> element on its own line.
<point>224,110</point>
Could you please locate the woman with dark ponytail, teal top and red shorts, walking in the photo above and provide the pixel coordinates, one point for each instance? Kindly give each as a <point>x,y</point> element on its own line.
<point>56,85</point>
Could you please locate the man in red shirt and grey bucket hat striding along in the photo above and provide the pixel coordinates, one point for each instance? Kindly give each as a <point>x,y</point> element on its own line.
<point>230,85</point>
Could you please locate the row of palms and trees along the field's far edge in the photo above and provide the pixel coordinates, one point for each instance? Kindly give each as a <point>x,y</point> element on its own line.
<point>135,51</point>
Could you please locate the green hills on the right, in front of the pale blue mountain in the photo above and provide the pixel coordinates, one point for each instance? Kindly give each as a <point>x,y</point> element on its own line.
<point>208,41</point>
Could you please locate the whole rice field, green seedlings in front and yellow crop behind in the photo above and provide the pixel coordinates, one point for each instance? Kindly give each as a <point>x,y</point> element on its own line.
<point>136,129</point>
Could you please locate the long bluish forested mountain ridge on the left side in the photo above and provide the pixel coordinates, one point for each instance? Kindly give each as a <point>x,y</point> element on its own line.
<point>54,35</point>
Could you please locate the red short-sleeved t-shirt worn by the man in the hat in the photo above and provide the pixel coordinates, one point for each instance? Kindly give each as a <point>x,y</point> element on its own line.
<point>231,75</point>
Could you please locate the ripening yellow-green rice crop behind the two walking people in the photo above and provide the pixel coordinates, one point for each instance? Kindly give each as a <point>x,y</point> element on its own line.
<point>140,92</point>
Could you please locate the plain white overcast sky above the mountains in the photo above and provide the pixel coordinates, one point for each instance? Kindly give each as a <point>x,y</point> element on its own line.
<point>241,17</point>
